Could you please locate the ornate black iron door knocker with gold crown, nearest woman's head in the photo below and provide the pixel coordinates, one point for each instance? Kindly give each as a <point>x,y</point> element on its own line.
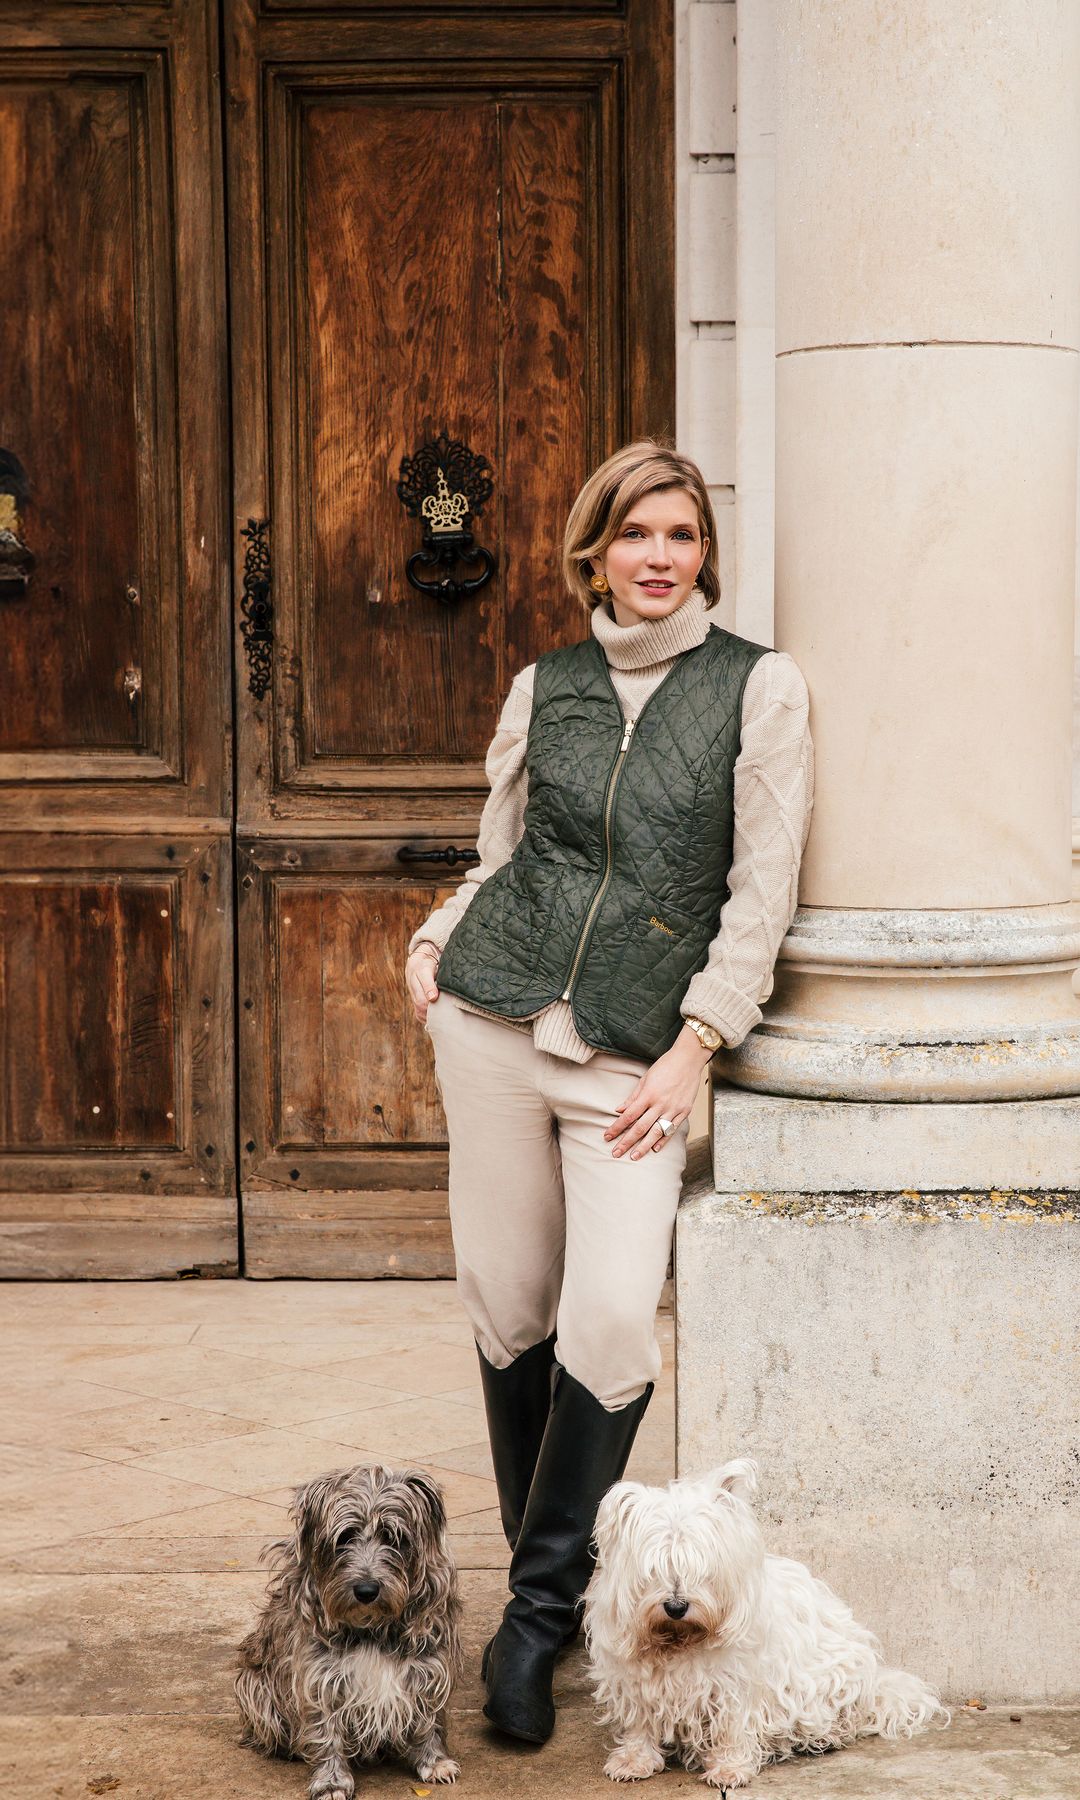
<point>445,483</point>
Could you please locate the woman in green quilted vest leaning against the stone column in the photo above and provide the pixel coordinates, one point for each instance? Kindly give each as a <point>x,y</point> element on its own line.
<point>638,865</point>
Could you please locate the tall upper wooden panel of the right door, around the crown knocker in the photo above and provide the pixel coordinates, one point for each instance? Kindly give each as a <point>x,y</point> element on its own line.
<point>444,276</point>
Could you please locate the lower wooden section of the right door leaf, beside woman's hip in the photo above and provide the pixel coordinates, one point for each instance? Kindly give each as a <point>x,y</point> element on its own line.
<point>339,1101</point>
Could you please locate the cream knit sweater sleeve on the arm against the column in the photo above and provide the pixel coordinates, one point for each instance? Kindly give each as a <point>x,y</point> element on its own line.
<point>773,800</point>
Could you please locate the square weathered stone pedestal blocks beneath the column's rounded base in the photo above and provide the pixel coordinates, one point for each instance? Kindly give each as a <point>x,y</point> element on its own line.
<point>903,1369</point>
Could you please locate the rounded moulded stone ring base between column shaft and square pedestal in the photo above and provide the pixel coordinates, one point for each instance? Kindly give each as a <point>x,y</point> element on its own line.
<point>922,1007</point>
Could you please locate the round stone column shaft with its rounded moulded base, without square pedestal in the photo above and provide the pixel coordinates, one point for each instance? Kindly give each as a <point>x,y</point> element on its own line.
<point>926,478</point>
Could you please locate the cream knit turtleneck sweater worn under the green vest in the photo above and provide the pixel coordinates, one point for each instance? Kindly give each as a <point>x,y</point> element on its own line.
<point>773,798</point>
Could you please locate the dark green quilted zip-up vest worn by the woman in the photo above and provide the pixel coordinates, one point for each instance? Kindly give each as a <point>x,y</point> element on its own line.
<point>615,890</point>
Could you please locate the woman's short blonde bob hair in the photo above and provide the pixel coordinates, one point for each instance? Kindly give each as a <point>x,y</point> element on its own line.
<point>611,494</point>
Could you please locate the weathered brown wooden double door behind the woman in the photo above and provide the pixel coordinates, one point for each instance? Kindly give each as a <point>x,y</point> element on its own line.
<point>251,260</point>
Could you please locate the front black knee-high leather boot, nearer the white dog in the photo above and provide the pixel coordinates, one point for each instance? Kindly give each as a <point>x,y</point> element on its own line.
<point>584,1453</point>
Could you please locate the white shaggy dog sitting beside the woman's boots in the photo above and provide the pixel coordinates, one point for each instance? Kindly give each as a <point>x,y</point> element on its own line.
<point>706,1646</point>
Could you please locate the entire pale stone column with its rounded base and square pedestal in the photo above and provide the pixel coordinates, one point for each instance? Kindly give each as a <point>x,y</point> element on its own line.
<point>904,1369</point>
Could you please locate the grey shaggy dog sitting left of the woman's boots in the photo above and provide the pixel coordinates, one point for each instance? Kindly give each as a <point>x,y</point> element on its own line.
<point>357,1646</point>
